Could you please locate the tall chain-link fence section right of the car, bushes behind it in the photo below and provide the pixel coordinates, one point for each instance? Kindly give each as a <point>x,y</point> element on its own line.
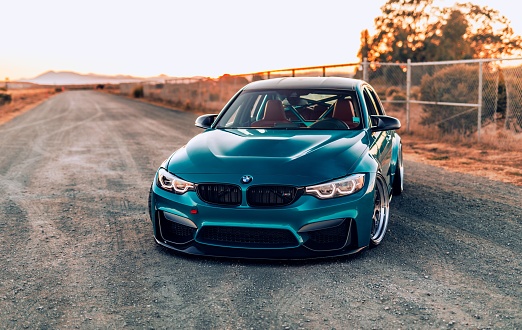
<point>475,99</point>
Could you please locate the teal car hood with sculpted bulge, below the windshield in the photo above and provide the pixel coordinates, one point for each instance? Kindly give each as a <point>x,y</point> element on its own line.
<point>270,156</point>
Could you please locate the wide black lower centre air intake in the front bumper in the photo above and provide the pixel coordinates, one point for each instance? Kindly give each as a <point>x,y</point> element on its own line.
<point>247,237</point>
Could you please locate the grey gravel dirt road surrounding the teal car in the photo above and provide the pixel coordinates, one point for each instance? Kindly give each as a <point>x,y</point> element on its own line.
<point>77,248</point>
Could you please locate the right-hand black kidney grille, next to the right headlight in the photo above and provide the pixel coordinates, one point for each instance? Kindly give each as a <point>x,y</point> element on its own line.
<point>271,195</point>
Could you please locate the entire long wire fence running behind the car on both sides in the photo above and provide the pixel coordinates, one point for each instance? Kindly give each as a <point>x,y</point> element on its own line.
<point>474,99</point>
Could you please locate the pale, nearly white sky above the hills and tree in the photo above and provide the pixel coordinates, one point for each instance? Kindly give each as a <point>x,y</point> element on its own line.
<point>185,38</point>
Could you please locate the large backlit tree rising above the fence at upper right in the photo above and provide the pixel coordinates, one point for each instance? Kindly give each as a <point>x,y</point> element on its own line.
<point>420,31</point>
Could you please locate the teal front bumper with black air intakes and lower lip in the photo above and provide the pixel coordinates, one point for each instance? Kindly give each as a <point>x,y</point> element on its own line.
<point>308,228</point>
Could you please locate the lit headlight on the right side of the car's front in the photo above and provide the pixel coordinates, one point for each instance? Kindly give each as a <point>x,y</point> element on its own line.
<point>337,188</point>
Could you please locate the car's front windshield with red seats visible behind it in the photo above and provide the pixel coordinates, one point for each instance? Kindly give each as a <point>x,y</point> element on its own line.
<point>293,109</point>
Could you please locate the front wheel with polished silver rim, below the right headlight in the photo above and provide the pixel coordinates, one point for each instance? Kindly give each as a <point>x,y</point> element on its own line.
<point>381,212</point>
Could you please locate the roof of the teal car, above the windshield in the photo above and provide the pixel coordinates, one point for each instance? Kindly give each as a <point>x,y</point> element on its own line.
<point>305,83</point>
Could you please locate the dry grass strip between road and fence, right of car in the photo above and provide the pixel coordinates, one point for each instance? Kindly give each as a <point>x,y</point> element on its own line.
<point>498,155</point>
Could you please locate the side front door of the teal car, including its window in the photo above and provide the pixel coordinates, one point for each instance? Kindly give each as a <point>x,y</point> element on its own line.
<point>380,142</point>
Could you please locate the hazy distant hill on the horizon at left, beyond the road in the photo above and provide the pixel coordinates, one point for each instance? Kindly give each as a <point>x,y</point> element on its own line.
<point>72,78</point>
